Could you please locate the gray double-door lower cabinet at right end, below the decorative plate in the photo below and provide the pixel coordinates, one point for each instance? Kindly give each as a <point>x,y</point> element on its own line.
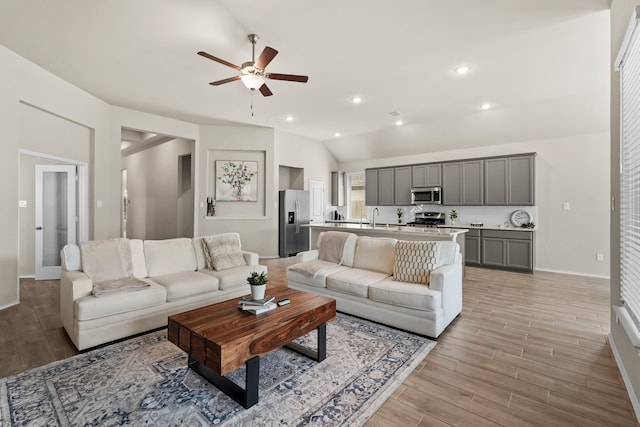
<point>512,250</point>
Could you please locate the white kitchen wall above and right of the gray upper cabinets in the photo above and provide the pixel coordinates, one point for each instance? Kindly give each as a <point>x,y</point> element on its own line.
<point>572,169</point>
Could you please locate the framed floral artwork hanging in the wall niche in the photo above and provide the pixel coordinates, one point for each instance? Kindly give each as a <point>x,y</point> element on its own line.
<point>236,181</point>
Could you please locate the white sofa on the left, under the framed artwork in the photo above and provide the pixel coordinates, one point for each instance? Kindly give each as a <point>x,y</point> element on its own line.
<point>173,278</point>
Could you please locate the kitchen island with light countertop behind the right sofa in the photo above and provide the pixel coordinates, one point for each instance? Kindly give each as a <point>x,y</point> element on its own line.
<point>400,232</point>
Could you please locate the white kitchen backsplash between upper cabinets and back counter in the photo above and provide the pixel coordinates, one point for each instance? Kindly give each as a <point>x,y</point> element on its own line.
<point>487,215</point>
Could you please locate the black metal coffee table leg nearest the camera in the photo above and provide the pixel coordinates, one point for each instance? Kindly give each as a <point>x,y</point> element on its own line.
<point>247,396</point>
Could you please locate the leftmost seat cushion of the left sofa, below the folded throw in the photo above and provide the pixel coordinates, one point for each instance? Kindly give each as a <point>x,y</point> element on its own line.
<point>90,307</point>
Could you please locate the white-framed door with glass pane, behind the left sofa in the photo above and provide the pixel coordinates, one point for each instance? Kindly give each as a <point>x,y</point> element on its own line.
<point>56,217</point>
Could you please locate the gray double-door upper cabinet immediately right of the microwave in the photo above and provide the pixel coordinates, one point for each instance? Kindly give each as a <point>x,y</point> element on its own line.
<point>462,183</point>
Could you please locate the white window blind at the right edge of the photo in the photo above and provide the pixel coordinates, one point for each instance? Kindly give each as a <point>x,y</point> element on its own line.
<point>629,66</point>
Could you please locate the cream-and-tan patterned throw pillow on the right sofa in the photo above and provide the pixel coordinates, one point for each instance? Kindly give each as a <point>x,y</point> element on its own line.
<point>415,260</point>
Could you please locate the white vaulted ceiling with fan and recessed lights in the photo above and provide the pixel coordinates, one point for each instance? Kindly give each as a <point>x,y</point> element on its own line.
<point>543,64</point>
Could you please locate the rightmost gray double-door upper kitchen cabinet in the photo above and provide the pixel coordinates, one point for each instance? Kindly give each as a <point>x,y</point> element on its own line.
<point>509,181</point>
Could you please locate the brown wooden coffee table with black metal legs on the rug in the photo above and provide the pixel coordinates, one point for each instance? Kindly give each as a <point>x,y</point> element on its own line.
<point>220,338</point>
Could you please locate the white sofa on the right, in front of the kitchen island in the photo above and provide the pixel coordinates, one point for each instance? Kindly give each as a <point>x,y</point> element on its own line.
<point>364,282</point>
